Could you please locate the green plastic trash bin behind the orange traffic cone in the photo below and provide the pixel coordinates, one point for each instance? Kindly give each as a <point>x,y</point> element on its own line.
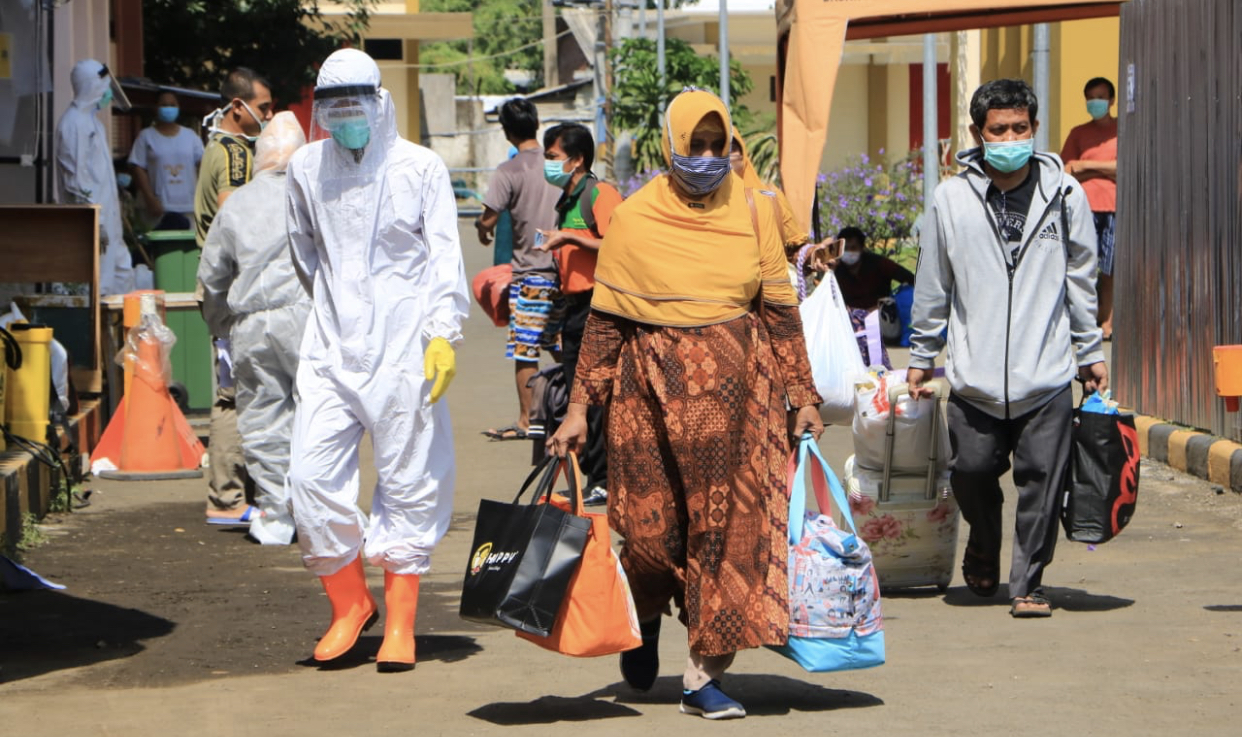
<point>177,268</point>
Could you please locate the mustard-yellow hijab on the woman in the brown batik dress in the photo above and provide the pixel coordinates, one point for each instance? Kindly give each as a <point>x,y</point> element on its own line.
<point>674,260</point>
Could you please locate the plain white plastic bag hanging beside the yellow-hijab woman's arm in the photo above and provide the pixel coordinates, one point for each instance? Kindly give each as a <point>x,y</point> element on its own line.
<point>836,362</point>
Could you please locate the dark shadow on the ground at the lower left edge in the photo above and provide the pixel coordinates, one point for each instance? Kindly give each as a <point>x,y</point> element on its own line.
<point>44,632</point>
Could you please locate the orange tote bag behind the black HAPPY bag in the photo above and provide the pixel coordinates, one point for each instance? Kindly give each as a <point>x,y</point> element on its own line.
<point>598,616</point>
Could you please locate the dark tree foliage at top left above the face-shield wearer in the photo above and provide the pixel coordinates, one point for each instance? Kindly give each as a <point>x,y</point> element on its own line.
<point>194,43</point>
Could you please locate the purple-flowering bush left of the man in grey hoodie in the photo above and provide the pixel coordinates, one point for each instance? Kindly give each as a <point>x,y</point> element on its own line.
<point>881,199</point>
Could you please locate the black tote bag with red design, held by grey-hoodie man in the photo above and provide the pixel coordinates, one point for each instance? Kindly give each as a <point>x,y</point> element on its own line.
<point>1104,487</point>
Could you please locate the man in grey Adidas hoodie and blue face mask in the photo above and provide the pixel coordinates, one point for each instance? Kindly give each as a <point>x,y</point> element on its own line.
<point>1008,264</point>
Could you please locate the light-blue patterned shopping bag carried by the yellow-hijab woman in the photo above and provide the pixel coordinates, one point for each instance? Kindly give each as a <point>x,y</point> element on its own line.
<point>834,596</point>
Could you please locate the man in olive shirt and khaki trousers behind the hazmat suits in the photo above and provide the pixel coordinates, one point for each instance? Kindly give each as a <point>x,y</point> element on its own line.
<point>227,166</point>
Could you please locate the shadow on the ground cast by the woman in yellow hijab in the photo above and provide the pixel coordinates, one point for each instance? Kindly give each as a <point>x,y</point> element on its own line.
<point>763,695</point>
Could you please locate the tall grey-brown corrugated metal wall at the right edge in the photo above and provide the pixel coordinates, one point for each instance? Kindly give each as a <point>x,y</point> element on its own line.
<point>1179,269</point>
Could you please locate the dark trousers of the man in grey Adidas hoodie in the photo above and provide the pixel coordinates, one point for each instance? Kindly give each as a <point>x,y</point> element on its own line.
<point>1039,444</point>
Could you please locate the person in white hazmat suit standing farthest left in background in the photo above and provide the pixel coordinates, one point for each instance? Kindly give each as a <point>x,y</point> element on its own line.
<point>84,168</point>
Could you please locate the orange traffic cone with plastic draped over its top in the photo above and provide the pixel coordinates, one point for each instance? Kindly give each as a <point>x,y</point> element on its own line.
<point>156,441</point>
